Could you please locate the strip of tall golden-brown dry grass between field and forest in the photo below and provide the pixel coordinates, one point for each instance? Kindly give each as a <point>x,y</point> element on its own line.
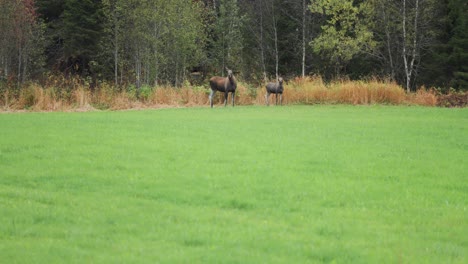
<point>77,96</point>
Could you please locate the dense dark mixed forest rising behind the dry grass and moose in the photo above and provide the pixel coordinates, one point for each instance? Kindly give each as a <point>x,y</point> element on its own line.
<point>154,42</point>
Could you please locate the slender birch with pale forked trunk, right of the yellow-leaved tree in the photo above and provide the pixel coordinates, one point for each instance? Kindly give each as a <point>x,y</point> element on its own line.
<point>406,31</point>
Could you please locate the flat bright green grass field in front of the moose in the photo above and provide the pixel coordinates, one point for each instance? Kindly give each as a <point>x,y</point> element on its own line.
<point>293,184</point>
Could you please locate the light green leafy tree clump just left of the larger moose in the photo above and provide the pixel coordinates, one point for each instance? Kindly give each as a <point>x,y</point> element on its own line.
<point>164,38</point>
